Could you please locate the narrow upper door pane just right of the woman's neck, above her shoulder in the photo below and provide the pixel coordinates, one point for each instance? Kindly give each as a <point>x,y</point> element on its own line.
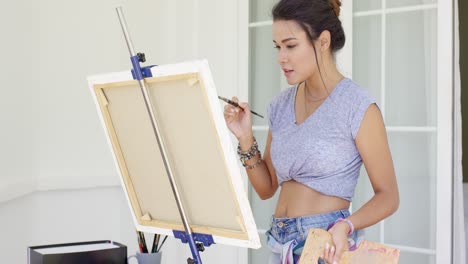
<point>367,51</point>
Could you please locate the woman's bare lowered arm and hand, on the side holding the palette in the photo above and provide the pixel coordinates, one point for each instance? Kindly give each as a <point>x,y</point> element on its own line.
<point>372,144</point>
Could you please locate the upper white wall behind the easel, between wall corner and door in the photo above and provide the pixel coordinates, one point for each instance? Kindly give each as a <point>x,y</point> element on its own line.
<point>80,38</point>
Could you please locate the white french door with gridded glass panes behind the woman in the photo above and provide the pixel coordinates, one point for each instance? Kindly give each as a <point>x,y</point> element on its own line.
<point>401,51</point>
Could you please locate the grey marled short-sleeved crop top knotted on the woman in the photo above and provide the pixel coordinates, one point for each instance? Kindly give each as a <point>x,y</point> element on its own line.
<point>320,152</point>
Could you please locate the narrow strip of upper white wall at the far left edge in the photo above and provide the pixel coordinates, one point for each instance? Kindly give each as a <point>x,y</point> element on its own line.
<point>16,101</point>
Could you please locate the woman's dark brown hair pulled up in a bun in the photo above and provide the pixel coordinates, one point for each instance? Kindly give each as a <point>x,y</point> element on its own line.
<point>314,16</point>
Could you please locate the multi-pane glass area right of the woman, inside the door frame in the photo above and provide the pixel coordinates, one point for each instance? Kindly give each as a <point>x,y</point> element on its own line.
<point>395,57</point>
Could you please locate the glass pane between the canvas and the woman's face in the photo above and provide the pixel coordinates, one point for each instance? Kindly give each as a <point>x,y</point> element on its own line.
<point>265,74</point>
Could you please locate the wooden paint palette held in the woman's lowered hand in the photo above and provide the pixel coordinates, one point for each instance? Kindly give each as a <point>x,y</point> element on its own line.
<point>367,253</point>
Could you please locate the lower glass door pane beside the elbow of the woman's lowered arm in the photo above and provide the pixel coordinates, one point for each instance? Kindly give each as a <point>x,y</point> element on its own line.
<point>414,223</point>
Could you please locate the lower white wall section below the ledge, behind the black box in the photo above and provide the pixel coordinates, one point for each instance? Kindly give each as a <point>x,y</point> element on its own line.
<point>58,216</point>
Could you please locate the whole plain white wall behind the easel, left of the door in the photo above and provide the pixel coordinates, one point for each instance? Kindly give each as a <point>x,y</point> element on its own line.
<point>51,139</point>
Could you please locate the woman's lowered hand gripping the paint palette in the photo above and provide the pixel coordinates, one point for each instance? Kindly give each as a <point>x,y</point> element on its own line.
<point>332,254</point>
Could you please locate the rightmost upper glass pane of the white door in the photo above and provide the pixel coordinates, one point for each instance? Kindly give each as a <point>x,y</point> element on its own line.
<point>411,61</point>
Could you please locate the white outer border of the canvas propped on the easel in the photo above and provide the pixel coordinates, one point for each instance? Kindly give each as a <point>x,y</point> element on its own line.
<point>251,238</point>
